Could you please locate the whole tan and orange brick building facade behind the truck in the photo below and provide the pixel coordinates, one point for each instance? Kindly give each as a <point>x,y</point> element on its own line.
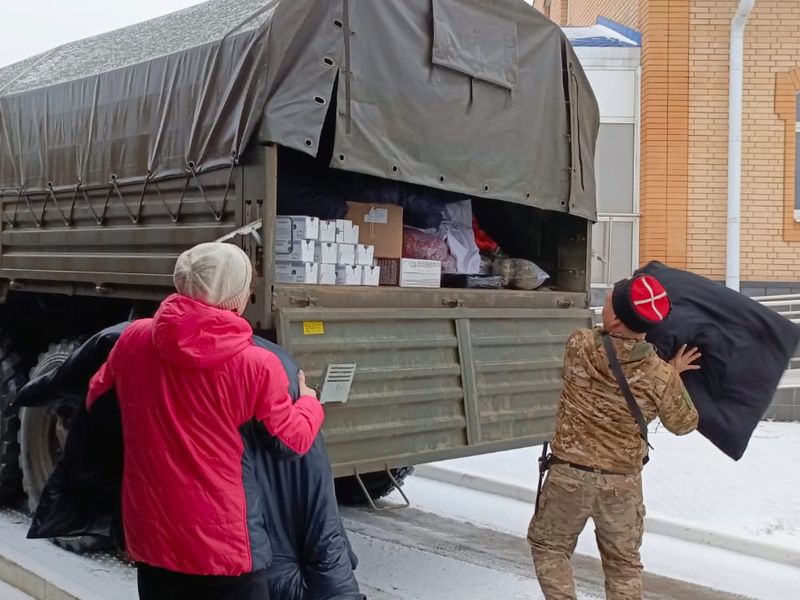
<point>684,132</point>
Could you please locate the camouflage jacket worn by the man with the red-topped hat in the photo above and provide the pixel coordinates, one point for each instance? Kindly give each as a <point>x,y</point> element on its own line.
<point>595,427</point>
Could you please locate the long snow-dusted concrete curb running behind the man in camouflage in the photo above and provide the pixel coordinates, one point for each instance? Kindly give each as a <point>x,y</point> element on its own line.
<point>656,525</point>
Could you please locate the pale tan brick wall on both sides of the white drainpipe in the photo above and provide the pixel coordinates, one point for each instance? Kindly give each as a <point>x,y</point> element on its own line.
<point>772,51</point>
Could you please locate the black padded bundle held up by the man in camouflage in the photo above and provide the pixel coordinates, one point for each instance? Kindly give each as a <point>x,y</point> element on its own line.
<point>746,348</point>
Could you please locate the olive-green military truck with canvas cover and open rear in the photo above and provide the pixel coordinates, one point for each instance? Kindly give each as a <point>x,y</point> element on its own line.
<point>120,151</point>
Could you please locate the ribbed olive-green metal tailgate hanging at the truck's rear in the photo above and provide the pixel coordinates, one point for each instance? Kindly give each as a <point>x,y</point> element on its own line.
<point>432,384</point>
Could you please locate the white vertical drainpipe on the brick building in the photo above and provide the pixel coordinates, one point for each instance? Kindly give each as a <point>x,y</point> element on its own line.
<point>732,266</point>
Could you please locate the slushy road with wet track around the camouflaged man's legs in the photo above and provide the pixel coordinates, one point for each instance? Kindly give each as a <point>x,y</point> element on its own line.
<point>414,555</point>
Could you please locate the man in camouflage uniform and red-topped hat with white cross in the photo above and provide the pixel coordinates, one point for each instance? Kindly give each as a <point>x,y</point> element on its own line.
<point>597,450</point>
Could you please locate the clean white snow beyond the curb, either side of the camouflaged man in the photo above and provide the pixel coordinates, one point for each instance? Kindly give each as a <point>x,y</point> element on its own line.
<point>688,481</point>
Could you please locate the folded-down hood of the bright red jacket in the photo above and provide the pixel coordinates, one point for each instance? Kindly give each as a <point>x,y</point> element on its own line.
<point>191,334</point>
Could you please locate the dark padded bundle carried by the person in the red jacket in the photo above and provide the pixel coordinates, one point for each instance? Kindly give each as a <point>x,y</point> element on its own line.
<point>312,557</point>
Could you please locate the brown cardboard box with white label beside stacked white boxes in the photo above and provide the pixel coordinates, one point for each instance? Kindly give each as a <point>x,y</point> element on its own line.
<point>380,225</point>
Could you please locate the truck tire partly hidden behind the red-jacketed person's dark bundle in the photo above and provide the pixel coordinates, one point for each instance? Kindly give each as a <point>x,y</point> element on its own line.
<point>43,433</point>
